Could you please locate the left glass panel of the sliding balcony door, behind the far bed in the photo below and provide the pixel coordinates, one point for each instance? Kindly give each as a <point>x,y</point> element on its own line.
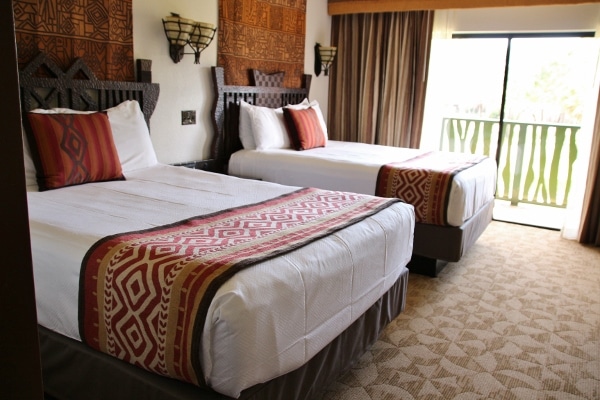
<point>464,95</point>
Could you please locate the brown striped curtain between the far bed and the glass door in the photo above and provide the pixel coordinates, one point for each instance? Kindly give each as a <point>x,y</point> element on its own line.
<point>378,81</point>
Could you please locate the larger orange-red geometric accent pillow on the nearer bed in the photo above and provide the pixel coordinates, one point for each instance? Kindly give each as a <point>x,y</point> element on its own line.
<point>71,149</point>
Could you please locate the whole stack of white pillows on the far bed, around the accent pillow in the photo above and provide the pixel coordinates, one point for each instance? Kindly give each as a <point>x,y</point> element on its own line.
<point>264,128</point>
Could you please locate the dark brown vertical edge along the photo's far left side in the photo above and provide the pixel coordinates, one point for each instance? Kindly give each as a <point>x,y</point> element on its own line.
<point>19,349</point>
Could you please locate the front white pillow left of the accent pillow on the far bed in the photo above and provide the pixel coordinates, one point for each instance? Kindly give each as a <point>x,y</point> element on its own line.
<point>268,125</point>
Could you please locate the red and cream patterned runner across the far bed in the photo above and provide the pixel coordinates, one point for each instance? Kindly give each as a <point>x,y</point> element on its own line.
<point>425,182</point>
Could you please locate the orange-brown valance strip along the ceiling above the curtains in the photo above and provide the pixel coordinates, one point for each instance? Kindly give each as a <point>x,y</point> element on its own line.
<point>339,7</point>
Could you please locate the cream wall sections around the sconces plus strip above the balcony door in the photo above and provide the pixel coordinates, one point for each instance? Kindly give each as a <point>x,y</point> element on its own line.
<point>186,86</point>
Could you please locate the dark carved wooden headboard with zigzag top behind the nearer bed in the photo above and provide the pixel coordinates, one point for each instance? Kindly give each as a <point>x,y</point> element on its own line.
<point>45,85</point>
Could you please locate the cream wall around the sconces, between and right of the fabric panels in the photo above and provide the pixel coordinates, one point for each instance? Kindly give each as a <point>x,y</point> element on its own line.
<point>187,86</point>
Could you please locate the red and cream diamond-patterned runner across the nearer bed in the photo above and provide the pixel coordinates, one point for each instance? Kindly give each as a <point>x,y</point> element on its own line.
<point>145,295</point>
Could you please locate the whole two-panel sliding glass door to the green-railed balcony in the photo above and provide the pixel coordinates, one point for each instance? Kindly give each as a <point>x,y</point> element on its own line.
<point>523,100</point>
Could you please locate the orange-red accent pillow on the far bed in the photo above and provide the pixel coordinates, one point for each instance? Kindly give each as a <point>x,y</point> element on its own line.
<point>304,128</point>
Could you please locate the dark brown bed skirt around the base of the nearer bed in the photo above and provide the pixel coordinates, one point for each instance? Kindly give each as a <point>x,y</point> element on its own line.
<point>72,370</point>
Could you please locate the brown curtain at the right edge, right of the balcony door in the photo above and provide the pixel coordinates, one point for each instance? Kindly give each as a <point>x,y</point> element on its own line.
<point>590,217</point>
